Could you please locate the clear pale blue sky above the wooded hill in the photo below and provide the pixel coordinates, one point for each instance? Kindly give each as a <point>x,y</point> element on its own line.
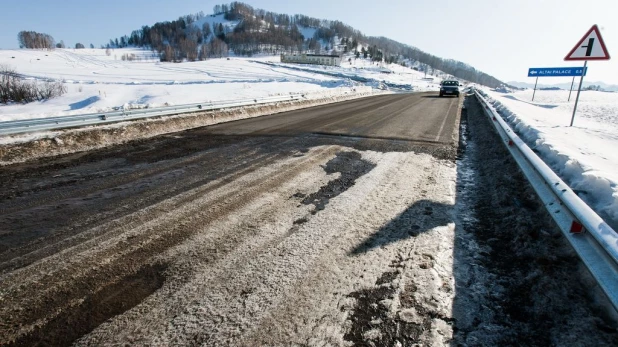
<point>502,38</point>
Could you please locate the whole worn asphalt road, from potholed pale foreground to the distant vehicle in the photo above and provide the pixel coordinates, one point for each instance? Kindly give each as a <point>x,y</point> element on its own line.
<point>265,231</point>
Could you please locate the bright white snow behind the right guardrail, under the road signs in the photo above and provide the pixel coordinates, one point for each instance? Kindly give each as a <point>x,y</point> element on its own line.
<point>584,155</point>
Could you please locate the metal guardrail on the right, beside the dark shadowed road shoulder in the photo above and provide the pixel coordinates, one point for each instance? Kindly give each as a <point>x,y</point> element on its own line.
<point>593,239</point>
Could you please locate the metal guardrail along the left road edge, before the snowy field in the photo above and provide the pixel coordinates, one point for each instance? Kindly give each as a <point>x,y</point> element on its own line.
<point>63,122</point>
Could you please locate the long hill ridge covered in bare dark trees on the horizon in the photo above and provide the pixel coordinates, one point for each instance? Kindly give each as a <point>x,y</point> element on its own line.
<point>247,31</point>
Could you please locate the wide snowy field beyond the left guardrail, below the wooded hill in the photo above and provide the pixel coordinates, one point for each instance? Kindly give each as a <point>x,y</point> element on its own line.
<point>97,82</point>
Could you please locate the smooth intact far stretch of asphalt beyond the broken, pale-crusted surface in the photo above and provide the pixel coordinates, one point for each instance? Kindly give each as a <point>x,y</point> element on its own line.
<point>420,117</point>
